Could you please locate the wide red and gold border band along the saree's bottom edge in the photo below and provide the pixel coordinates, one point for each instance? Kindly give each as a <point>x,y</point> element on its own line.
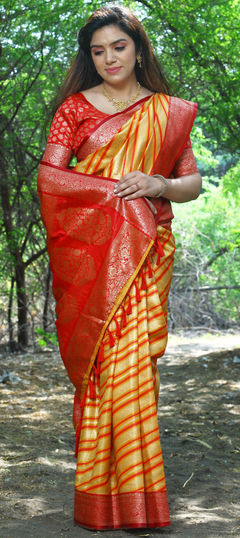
<point>125,510</point>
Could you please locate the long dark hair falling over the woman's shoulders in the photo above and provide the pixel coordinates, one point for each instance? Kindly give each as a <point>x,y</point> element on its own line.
<point>82,73</point>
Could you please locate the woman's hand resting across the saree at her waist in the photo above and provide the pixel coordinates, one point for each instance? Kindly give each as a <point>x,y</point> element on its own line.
<point>136,184</point>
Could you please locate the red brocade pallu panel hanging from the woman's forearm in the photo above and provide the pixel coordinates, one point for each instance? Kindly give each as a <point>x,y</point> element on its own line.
<point>96,244</point>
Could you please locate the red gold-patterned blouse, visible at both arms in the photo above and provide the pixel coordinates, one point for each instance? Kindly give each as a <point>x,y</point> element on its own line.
<point>74,121</point>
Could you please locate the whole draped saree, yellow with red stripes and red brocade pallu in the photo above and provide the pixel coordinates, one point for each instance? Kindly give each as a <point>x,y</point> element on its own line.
<point>112,265</point>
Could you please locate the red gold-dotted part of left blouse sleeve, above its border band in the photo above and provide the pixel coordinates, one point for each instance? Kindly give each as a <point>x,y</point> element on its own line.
<point>64,124</point>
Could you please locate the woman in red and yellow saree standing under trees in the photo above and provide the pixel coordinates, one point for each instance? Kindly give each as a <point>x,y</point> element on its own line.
<point>111,250</point>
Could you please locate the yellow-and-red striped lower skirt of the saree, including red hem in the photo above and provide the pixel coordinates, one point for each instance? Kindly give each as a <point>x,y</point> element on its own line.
<point>119,459</point>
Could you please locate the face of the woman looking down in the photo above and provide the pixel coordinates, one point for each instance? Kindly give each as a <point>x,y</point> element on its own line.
<point>113,53</point>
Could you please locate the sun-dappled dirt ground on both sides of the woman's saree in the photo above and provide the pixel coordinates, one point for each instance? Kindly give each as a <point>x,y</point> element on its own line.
<point>200,432</point>
